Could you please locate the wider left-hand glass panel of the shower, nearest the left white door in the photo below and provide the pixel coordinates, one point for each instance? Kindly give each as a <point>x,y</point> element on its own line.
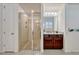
<point>24,32</point>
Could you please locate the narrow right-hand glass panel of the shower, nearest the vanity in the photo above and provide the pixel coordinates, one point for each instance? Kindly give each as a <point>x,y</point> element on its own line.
<point>36,31</point>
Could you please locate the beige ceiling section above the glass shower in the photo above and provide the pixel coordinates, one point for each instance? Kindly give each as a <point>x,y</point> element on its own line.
<point>28,7</point>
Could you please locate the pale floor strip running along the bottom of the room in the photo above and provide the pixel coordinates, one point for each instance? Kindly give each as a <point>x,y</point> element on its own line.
<point>46,52</point>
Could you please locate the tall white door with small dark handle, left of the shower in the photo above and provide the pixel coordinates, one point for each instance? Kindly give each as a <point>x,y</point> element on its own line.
<point>10,27</point>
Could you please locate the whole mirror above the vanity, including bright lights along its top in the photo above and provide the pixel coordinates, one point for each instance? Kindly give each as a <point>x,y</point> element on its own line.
<point>50,22</point>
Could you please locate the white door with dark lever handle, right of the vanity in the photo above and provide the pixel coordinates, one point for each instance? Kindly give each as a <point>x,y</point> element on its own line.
<point>72,22</point>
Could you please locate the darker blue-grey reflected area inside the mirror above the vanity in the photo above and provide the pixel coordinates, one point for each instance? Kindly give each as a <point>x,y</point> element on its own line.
<point>48,24</point>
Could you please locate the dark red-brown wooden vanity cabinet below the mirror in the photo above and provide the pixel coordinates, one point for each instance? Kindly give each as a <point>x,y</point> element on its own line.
<point>53,41</point>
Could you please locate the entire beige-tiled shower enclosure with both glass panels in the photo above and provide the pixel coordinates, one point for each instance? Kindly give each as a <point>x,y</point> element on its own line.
<point>30,31</point>
